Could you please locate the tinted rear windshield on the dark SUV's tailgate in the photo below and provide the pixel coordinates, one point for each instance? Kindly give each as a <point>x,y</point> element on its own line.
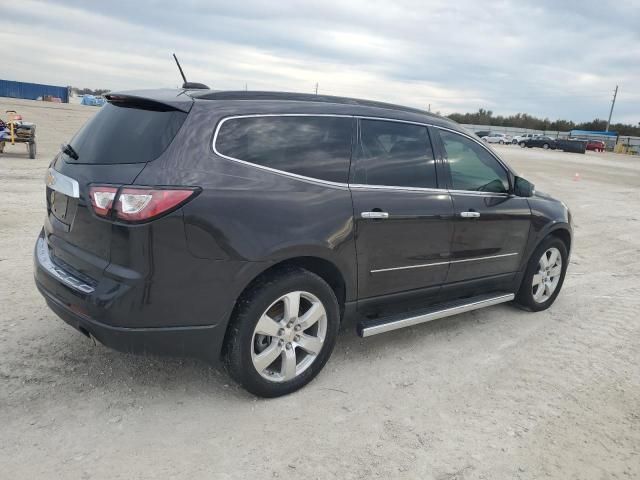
<point>127,134</point>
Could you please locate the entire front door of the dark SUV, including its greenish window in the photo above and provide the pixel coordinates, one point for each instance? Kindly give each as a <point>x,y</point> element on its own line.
<point>491,225</point>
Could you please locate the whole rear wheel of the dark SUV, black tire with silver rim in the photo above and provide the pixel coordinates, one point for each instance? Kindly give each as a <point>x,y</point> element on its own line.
<point>282,333</point>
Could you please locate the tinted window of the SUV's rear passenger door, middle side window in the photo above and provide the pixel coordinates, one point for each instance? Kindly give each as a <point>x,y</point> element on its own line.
<point>394,154</point>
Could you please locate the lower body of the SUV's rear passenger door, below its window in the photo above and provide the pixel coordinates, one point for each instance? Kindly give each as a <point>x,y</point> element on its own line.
<point>409,249</point>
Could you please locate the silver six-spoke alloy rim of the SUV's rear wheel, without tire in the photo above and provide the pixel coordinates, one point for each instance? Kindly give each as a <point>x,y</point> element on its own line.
<point>289,336</point>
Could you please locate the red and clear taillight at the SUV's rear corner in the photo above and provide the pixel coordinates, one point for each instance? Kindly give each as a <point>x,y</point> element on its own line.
<point>137,204</point>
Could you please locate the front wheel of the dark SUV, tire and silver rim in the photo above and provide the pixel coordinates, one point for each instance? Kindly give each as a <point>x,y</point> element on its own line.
<point>544,275</point>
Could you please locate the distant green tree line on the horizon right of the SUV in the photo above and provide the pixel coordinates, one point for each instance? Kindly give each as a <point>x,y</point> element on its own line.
<point>524,120</point>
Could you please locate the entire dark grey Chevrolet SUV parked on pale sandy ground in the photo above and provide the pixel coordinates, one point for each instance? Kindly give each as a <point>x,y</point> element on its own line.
<point>247,227</point>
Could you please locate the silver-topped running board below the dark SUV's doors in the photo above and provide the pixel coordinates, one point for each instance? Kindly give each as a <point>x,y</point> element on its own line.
<point>386,324</point>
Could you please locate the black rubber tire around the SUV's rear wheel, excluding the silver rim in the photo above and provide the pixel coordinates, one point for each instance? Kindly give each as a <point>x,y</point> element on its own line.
<point>252,305</point>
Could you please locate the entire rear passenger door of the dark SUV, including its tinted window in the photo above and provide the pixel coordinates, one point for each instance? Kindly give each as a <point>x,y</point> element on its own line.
<point>403,239</point>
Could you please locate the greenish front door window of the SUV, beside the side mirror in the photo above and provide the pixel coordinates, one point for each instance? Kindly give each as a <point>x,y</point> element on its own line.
<point>471,166</point>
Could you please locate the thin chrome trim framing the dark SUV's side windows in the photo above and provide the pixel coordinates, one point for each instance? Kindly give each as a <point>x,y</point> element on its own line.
<point>347,185</point>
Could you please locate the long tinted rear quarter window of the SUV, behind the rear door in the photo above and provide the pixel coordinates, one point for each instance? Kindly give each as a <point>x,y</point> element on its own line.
<point>317,147</point>
